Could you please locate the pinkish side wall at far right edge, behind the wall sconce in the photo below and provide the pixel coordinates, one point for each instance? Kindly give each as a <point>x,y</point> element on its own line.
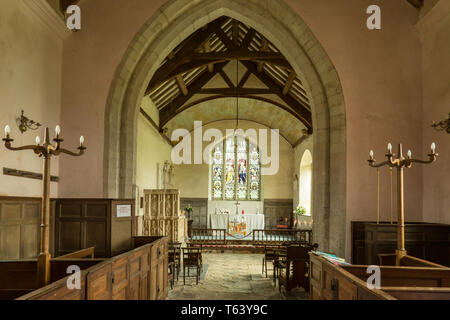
<point>435,30</point>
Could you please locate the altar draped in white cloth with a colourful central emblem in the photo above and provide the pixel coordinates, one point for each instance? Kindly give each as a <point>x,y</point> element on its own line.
<point>237,225</point>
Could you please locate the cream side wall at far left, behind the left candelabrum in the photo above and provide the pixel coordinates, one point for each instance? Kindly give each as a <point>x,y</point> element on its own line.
<point>30,79</point>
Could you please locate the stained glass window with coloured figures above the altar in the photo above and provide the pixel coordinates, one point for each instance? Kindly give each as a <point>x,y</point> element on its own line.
<point>236,170</point>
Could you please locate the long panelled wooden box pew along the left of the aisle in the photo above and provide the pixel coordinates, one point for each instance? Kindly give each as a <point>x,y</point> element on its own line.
<point>139,274</point>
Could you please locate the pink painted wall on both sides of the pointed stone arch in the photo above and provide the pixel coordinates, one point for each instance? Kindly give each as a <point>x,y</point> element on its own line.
<point>380,73</point>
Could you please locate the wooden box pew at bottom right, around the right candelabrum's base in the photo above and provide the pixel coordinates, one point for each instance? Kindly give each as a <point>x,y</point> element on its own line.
<point>341,282</point>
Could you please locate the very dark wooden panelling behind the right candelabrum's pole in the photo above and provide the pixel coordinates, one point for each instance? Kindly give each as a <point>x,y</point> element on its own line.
<point>422,240</point>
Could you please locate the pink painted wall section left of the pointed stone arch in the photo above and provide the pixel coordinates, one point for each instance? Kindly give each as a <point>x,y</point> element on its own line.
<point>91,57</point>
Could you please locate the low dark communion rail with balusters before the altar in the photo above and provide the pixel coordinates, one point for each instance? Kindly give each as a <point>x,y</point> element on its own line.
<point>259,237</point>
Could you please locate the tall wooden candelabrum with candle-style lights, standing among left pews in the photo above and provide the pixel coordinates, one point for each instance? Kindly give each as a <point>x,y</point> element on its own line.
<point>45,150</point>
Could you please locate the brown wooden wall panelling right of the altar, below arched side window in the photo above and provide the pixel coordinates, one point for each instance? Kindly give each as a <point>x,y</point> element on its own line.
<point>276,212</point>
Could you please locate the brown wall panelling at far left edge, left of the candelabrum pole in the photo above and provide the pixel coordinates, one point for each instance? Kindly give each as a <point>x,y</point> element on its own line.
<point>19,228</point>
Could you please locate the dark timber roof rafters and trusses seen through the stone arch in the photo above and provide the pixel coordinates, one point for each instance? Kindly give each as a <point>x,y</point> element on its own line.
<point>180,81</point>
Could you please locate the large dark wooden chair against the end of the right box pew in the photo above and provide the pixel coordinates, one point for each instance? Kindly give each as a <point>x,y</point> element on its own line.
<point>295,270</point>
